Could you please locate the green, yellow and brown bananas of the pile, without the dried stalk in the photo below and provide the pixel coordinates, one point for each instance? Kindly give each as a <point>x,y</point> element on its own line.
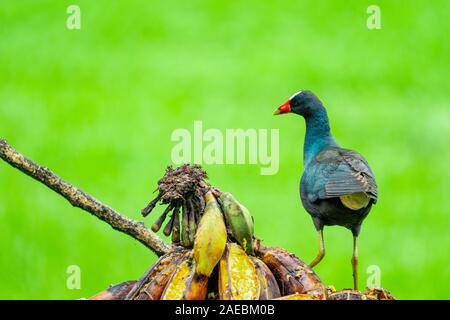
<point>225,263</point>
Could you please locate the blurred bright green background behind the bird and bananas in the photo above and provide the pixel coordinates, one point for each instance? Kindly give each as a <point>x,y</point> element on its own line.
<point>98,106</point>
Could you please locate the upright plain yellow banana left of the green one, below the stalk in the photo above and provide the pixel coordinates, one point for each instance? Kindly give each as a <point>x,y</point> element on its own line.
<point>210,239</point>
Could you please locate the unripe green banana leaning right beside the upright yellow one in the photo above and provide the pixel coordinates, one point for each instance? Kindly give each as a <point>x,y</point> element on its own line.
<point>239,220</point>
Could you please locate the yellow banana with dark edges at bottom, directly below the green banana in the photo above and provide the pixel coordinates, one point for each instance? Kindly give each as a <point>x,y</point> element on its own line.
<point>237,275</point>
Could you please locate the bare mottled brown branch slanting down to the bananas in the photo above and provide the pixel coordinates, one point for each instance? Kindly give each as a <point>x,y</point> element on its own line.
<point>82,200</point>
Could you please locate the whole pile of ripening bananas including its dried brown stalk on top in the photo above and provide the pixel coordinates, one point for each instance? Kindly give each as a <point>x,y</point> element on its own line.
<point>216,255</point>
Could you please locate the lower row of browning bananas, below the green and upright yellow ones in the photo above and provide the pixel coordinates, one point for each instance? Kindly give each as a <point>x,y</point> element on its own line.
<point>236,276</point>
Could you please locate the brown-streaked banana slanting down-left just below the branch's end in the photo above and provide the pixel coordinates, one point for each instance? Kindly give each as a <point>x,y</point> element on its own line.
<point>152,284</point>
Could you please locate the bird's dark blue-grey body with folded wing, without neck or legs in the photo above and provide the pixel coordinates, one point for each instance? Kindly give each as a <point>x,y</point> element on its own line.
<point>332,173</point>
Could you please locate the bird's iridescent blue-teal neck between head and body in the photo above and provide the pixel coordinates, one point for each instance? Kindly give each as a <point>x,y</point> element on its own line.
<point>318,135</point>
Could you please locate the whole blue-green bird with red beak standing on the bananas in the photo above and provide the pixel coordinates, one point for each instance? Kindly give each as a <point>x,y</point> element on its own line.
<point>337,186</point>
